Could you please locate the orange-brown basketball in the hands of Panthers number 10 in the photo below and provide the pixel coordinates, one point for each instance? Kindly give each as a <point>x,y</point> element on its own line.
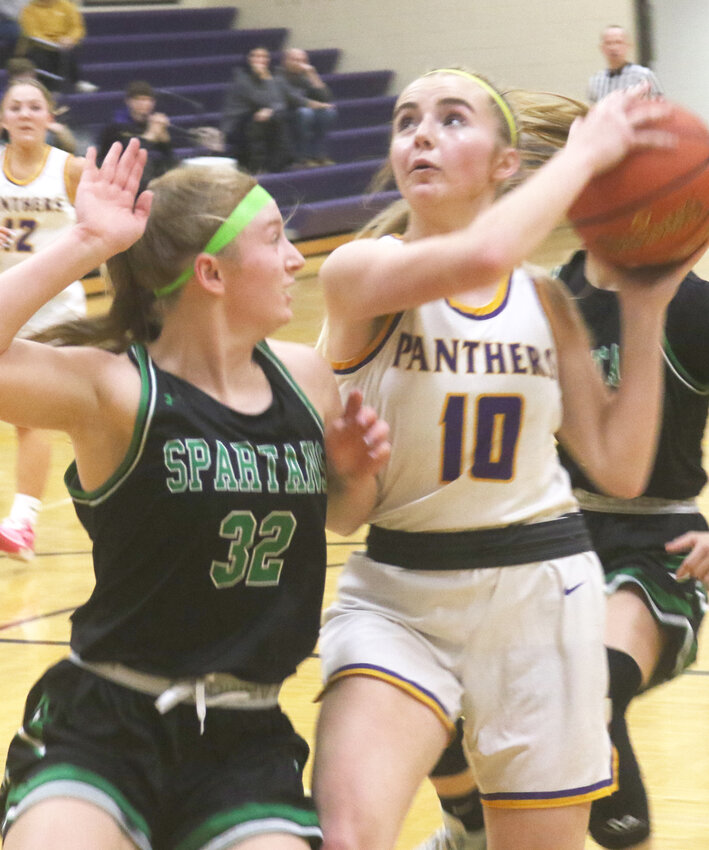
<point>653,207</point>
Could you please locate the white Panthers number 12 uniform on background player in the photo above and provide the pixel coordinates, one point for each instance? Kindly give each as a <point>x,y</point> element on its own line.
<point>38,210</point>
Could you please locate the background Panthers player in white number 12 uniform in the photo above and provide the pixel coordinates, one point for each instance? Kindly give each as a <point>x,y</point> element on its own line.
<point>37,187</point>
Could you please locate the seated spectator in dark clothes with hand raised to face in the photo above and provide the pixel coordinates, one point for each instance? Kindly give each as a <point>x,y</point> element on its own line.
<point>255,117</point>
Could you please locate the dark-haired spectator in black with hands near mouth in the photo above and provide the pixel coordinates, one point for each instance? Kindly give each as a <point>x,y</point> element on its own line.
<point>140,119</point>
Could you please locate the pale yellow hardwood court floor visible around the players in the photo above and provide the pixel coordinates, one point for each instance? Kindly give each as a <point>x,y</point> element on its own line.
<point>669,725</point>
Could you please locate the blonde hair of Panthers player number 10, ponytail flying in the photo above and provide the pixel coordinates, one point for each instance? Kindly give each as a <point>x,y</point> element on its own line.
<point>541,119</point>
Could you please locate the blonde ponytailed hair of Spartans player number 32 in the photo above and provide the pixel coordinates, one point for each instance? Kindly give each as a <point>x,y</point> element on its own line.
<point>189,205</point>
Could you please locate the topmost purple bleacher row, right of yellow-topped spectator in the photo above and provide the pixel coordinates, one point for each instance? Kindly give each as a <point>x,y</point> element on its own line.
<point>126,22</point>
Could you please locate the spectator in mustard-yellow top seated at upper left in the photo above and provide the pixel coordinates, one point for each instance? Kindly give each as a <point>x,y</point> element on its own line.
<point>51,32</point>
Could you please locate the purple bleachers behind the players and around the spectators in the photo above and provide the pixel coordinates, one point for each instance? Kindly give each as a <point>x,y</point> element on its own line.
<point>189,54</point>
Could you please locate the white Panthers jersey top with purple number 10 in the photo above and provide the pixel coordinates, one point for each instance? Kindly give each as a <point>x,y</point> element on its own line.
<point>473,401</point>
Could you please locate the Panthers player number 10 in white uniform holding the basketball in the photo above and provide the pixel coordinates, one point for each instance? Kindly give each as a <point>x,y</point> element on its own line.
<point>496,606</point>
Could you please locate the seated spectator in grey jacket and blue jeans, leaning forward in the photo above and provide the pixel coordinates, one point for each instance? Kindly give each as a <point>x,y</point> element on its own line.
<point>310,121</point>
